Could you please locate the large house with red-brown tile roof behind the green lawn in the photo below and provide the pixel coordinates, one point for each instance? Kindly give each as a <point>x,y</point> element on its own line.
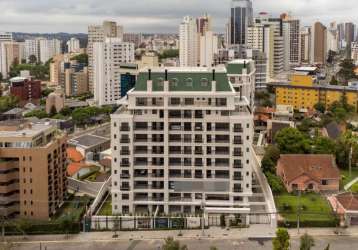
<point>317,173</point>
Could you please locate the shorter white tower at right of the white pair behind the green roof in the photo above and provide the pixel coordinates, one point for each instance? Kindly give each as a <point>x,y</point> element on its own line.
<point>208,48</point>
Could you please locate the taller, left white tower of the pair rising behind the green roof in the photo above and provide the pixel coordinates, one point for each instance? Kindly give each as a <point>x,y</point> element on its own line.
<point>188,43</point>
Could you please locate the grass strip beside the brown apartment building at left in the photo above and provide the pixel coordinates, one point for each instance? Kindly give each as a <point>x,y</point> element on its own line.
<point>75,206</point>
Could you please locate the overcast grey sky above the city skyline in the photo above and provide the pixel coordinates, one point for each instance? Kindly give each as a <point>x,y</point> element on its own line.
<point>154,15</point>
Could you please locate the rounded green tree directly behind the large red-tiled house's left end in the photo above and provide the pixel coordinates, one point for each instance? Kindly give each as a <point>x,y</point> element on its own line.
<point>292,141</point>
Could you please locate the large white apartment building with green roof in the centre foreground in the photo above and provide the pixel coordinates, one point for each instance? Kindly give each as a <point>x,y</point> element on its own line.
<point>181,143</point>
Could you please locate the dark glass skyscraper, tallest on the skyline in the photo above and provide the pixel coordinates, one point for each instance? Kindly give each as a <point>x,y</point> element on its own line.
<point>241,17</point>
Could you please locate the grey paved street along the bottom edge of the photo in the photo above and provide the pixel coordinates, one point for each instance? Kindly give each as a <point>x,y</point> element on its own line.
<point>339,243</point>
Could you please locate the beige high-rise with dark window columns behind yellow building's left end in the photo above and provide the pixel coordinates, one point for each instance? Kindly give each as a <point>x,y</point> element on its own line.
<point>291,35</point>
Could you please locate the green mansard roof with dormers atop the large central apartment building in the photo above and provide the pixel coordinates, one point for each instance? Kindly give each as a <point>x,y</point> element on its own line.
<point>183,81</point>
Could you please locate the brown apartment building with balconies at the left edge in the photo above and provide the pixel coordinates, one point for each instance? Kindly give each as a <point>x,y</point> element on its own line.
<point>32,169</point>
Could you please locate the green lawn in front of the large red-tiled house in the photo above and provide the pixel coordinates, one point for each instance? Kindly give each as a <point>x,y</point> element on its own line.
<point>315,209</point>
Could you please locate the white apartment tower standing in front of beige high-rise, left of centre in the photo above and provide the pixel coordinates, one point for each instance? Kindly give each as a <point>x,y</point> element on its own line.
<point>107,57</point>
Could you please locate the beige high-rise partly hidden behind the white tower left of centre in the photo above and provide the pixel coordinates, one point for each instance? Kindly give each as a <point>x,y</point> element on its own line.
<point>98,33</point>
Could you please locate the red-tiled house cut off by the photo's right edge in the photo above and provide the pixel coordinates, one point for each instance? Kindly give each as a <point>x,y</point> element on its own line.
<point>346,206</point>
